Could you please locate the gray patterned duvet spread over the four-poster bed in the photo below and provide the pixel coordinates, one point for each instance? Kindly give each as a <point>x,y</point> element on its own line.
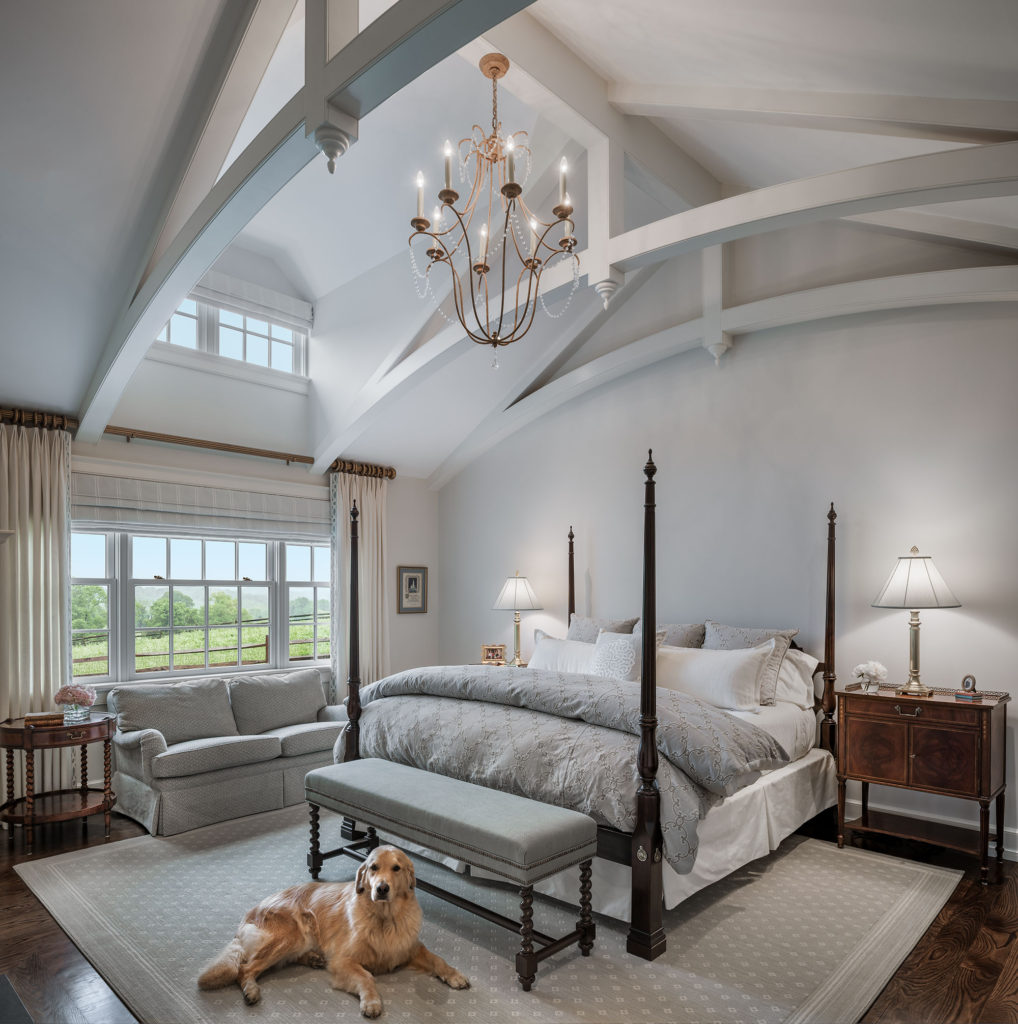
<point>566,740</point>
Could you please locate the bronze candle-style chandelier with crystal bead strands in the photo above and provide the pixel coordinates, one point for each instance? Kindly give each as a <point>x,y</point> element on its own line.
<point>495,246</point>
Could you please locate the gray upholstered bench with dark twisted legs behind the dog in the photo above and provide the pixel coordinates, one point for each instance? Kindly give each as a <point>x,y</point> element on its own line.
<point>521,840</point>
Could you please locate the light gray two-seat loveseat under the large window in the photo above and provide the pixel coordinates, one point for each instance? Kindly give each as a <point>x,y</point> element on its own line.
<point>192,753</point>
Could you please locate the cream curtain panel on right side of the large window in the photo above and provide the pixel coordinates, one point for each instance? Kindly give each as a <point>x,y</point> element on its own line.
<point>370,494</point>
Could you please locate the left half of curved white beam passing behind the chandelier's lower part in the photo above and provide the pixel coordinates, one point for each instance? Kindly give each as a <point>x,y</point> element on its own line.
<point>378,398</point>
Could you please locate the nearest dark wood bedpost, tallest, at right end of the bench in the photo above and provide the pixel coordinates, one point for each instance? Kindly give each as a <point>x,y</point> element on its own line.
<point>647,934</point>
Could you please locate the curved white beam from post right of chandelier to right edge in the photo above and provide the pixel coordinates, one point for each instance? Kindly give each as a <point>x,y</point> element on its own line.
<point>980,173</point>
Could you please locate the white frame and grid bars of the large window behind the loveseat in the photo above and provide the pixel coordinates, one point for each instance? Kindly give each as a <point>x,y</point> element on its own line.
<point>123,587</point>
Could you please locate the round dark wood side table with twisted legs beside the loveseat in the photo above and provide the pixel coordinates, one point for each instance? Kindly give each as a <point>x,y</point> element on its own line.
<point>57,805</point>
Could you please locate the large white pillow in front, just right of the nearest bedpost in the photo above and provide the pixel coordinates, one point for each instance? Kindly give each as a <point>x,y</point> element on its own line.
<point>729,679</point>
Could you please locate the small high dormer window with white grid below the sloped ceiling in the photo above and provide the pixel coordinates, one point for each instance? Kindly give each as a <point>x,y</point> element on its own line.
<point>249,338</point>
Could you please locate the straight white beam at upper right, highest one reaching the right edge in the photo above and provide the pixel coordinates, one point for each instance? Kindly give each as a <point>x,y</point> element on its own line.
<point>979,121</point>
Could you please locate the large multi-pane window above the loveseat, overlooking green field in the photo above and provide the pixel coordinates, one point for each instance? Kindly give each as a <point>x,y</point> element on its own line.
<point>195,605</point>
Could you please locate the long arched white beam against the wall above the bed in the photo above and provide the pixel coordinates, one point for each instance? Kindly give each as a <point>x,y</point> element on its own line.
<point>999,284</point>
